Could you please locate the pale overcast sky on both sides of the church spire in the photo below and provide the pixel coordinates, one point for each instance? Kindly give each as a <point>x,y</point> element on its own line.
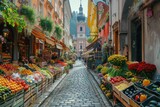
<point>76,3</point>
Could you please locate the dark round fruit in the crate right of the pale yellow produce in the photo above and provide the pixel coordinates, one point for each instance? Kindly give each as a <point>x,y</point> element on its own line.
<point>130,91</point>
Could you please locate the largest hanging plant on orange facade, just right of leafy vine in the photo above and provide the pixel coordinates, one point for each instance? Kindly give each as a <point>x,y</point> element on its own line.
<point>29,13</point>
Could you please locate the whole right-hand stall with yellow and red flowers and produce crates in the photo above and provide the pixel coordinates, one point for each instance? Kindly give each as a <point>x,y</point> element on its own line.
<point>129,84</point>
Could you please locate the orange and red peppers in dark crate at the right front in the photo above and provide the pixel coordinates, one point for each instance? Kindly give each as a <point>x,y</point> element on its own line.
<point>141,96</point>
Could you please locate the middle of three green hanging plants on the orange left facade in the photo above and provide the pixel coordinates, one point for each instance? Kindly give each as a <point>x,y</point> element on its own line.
<point>46,24</point>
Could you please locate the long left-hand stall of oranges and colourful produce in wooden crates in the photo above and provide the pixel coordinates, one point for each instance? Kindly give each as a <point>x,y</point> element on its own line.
<point>22,85</point>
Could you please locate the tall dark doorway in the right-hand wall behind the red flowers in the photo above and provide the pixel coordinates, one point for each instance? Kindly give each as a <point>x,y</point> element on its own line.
<point>136,40</point>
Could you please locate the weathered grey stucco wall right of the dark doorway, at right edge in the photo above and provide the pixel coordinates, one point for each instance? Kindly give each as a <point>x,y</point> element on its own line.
<point>152,37</point>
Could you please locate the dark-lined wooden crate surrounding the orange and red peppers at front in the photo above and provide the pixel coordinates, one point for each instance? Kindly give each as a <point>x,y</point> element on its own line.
<point>135,103</point>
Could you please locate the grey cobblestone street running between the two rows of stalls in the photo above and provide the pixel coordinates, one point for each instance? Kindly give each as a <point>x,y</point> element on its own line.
<point>75,91</point>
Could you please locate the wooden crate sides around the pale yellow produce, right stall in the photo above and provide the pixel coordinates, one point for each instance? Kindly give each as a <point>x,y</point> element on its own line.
<point>118,83</point>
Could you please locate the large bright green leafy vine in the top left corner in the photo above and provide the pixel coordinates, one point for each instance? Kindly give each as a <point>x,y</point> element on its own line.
<point>11,16</point>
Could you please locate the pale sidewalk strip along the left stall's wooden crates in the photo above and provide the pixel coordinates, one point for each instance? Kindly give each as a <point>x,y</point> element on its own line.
<point>48,92</point>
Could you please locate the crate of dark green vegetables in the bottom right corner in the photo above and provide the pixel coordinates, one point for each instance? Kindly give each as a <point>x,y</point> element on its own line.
<point>153,100</point>
